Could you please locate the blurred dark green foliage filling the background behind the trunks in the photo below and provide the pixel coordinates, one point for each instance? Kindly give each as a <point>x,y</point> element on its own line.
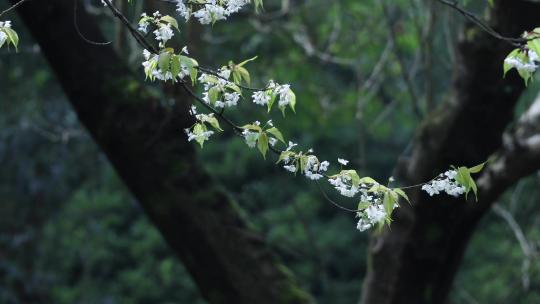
<point>70,232</point>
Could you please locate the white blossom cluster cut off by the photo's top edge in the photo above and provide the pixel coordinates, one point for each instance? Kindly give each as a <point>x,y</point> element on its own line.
<point>211,11</point>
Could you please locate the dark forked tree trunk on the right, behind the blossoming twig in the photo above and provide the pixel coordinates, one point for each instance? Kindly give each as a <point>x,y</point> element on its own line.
<point>416,261</point>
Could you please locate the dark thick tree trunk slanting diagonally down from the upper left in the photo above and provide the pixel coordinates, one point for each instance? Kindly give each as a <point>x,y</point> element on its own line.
<point>229,263</point>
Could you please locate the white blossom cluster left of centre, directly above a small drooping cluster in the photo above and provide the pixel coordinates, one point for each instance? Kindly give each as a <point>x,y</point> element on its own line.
<point>229,99</point>
